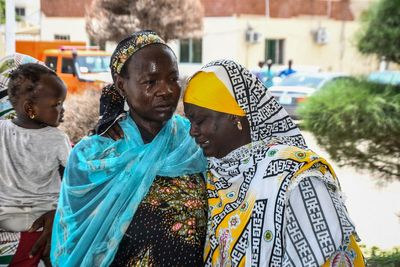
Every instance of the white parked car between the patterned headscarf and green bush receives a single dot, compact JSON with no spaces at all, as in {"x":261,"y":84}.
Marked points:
{"x":295,"y":89}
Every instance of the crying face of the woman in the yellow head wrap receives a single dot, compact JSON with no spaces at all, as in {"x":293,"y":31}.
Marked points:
{"x":215,"y":132}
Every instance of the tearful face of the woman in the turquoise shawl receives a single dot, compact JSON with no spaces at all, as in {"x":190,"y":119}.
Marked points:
{"x":152,"y":86}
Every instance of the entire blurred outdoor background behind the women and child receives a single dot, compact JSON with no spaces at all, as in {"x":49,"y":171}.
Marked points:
{"x":333,"y":64}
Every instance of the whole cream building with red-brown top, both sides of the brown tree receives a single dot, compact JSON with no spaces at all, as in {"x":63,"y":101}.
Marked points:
{"x":315,"y":34}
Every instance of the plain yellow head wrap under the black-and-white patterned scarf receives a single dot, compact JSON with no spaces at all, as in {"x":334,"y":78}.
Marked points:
{"x":206,"y":90}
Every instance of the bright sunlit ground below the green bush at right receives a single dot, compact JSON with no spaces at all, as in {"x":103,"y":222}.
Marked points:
{"x":374,"y":208}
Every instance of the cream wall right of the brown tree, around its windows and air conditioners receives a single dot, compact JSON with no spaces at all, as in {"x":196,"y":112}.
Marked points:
{"x":224,"y":37}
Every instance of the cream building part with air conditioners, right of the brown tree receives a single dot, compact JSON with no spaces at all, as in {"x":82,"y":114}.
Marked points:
{"x":315,"y":34}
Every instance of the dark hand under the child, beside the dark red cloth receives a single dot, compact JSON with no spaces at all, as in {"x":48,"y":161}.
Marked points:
{"x":44,"y":241}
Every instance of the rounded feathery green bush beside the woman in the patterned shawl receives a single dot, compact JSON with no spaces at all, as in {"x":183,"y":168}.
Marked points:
{"x":358,"y":123}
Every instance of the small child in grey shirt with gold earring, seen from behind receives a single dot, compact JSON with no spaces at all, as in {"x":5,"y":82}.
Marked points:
{"x":33,"y":153}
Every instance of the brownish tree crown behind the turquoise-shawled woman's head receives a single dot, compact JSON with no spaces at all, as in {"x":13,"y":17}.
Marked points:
{"x":112,"y":20}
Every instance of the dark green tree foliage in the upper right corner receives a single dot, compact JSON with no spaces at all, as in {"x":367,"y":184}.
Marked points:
{"x":380,"y":33}
